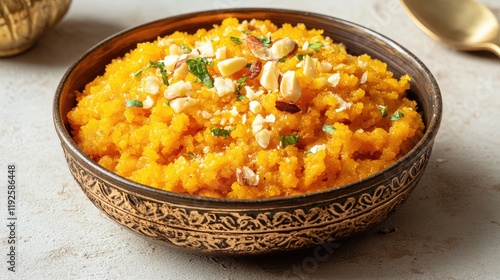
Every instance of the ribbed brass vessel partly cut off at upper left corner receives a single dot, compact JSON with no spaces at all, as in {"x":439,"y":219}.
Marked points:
{"x":22,"y":22}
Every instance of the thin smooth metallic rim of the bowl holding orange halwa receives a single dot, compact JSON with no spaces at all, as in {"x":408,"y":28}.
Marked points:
{"x":423,"y":145}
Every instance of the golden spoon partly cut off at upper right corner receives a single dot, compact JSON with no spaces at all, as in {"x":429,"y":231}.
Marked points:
{"x":461,"y":24}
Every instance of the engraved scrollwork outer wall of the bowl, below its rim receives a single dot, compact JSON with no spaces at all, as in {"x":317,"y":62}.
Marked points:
{"x":247,"y":231}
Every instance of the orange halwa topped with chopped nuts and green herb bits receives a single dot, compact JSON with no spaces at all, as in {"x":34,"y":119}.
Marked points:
{"x":245,"y":110}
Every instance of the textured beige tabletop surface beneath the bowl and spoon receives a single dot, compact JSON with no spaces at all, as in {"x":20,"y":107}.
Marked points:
{"x":448,"y":229}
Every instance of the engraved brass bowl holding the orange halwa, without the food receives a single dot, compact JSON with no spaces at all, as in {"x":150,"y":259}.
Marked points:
{"x":246,"y":227}
